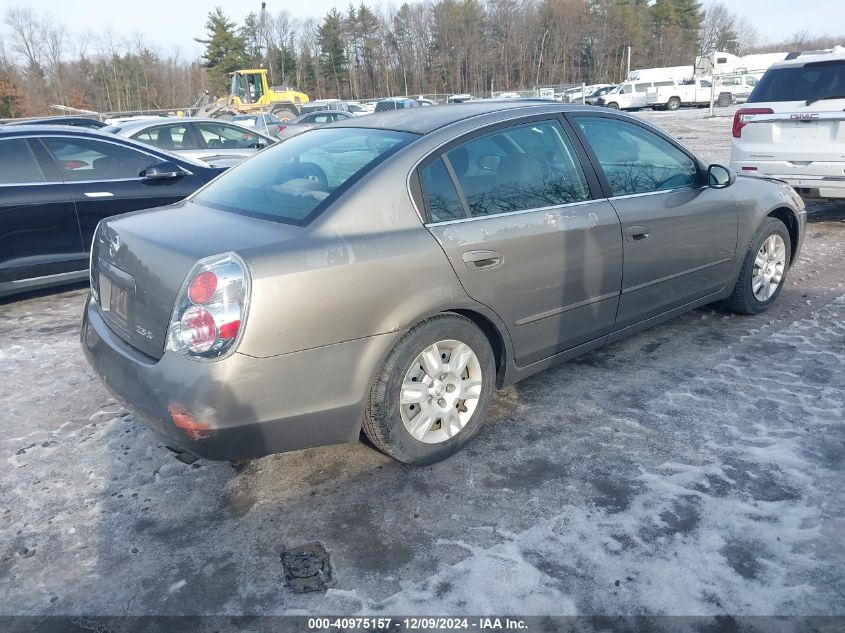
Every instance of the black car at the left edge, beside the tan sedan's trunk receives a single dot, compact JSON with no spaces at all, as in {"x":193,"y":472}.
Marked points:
{"x":57,"y":183}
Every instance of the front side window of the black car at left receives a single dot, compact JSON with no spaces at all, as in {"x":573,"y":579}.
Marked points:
{"x":86,"y":159}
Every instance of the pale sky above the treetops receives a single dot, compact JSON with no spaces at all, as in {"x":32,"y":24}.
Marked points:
{"x":172,"y":24}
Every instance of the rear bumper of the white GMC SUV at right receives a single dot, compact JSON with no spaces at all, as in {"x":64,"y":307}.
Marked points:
{"x":816,"y":180}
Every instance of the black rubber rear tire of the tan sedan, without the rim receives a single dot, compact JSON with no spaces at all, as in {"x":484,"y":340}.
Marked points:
{"x":382,"y":421}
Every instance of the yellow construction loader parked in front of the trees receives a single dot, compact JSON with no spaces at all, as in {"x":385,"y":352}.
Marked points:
{"x":251,"y":93}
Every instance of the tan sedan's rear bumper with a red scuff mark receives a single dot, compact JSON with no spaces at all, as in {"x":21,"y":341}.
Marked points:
{"x":239,"y":407}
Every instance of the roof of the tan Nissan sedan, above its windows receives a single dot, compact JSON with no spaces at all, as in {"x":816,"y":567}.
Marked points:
{"x":426,"y":120}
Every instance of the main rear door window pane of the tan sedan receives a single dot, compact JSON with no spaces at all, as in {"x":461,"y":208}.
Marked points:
{"x":528,"y":166}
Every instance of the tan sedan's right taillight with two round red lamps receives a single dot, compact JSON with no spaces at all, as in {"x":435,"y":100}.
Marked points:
{"x":210,"y":310}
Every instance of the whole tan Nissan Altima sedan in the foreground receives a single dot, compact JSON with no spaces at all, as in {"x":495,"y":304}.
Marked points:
{"x":390,"y":271}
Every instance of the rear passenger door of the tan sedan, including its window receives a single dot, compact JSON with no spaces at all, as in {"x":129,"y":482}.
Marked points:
{"x":516,"y":214}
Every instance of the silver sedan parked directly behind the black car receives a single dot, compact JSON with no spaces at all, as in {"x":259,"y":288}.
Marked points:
{"x":209,"y":140}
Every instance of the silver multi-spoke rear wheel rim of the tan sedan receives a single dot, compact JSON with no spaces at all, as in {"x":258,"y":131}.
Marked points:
{"x":440,"y":391}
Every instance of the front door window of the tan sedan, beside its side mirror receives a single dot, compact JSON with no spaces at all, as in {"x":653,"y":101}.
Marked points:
{"x":636,"y":160}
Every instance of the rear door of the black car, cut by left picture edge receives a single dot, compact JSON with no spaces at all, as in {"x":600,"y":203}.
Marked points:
{"x":39,"y":231}
